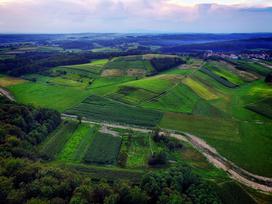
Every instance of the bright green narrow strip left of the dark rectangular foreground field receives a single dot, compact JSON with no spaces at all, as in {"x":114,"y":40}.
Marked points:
{"x":71,"y":146}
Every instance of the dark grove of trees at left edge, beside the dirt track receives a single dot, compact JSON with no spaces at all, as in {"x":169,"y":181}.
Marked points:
{"x":23,"y":127}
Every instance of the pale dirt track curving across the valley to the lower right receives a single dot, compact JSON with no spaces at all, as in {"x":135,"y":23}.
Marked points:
{"x":246,"y":178}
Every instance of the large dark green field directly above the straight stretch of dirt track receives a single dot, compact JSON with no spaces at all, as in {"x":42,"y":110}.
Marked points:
{"x":103,"y":109}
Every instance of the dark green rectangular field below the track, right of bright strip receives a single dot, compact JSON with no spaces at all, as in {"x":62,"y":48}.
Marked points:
{"x":103,"y":150}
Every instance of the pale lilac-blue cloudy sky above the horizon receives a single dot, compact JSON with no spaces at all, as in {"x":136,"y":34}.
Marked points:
{"x":135,"y":16}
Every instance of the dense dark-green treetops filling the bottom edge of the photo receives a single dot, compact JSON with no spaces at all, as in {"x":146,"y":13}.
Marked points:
{"x":24,"y":181}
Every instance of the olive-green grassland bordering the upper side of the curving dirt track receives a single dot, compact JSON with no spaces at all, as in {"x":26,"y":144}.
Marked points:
{"x":246,"y":144}
